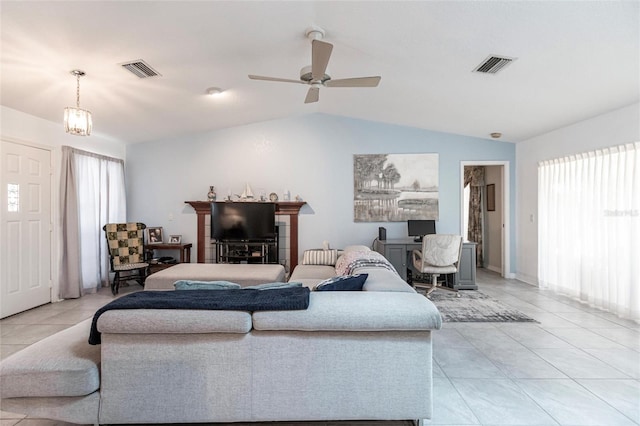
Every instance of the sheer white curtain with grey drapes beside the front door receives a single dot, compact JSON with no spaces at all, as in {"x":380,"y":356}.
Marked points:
{"x":93,"y":194}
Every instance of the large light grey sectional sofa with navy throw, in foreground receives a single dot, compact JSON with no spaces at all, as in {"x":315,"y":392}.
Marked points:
{"x":351,"y":355}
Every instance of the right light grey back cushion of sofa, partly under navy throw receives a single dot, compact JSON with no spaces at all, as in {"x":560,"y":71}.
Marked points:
{"x":355,"y":311}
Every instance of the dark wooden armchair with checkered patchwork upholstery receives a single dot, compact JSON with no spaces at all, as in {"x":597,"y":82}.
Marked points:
{"x":126,"y":252}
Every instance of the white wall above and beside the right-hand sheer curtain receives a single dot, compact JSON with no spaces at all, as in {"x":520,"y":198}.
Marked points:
{"x":614,"y":128}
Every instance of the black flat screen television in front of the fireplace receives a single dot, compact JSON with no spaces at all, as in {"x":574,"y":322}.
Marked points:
{"x":238,"y":221}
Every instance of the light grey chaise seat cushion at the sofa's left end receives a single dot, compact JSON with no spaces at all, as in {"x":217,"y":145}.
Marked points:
{"x":62,"y":365}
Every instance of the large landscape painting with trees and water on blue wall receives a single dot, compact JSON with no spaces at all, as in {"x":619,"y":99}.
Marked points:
{"x":395,"y":187}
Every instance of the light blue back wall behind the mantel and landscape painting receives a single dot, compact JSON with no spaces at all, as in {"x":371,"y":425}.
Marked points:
{"x":311,"y":156}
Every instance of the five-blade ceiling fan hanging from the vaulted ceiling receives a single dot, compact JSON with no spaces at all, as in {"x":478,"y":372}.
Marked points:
{"x":315,"y":74}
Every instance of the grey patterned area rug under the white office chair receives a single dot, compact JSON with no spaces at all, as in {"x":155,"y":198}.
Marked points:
{"x":474,"y":306}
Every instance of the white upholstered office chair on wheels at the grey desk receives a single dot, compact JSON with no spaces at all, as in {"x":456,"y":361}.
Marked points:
{"x":440,"y":254}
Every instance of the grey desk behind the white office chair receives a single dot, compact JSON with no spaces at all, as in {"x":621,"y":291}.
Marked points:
{"x":398,"y":252}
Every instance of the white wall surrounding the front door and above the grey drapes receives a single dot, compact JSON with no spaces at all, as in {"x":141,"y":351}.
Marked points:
{"x":16,"y":126}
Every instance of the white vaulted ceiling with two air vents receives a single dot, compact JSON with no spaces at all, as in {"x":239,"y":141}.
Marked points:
{"x":575,"y":60}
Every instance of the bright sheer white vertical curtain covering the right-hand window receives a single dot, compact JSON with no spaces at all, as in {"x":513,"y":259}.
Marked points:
{"x":589,"y":228}
